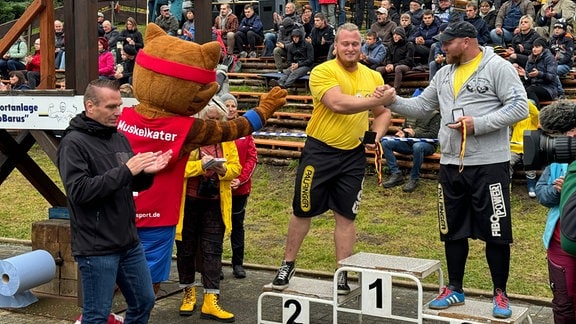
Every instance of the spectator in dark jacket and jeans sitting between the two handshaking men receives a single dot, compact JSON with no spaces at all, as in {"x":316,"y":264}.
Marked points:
{"x":423,"y":128}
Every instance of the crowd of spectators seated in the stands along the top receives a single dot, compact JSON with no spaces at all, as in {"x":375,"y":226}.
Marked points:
{"x":511,"y":27}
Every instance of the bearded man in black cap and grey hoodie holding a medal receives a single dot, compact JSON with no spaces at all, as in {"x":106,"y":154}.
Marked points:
{"x":480,"y":95}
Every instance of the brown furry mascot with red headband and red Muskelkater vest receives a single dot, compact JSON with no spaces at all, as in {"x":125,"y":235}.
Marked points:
{"x":173,"y":80}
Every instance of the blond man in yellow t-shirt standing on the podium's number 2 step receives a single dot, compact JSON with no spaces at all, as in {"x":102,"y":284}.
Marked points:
{"x":331,"y":170}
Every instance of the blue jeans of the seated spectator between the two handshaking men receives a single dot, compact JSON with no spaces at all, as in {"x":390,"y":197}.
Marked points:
{"x":417,"y":149}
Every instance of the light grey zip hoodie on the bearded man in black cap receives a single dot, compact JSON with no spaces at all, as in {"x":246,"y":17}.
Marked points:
{"x":494,"y":96}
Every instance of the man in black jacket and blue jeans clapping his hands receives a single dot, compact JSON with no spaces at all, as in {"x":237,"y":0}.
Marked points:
{"x":100,"y":173}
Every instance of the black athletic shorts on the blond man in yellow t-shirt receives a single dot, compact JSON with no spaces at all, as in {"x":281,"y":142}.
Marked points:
{"x":328,"y":178}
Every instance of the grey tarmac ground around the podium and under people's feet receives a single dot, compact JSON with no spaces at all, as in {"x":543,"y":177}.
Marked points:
{"x":240,"y":296}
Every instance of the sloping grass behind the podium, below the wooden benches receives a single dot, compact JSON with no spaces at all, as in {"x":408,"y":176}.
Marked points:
{"x":390,"y":222}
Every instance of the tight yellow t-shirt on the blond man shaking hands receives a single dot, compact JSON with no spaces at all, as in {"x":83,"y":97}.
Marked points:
{"x":339,"y":130}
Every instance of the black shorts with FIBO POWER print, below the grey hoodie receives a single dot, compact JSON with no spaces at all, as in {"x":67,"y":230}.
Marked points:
{"x":475,"y":203}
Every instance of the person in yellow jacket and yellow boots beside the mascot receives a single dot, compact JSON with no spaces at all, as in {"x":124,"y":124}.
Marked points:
{"x":207,"y":217}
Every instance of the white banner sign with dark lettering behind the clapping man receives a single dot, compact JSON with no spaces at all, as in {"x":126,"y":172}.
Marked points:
{"x":42,"y":112}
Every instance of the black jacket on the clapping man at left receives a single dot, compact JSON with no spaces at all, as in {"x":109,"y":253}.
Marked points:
{"x":99,"y":186}
